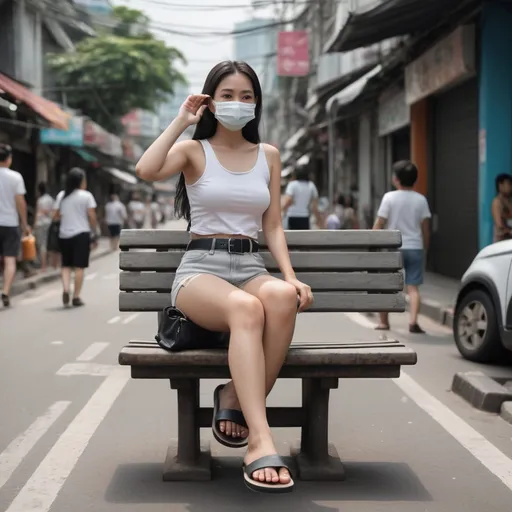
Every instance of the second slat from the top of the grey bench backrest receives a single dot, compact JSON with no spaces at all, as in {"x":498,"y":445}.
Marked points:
{"x":301,"y":261}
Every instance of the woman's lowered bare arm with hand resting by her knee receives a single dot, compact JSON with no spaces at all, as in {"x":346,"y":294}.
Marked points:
{"x":274,"y":233}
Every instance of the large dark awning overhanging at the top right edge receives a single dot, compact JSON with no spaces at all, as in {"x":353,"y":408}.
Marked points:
{"x":392,"y":18}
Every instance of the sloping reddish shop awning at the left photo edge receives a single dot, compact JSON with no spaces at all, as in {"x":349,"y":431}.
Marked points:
{"x":45,"y":108}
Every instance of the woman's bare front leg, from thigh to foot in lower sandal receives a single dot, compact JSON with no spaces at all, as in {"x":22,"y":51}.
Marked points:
{"x":216,"y":305}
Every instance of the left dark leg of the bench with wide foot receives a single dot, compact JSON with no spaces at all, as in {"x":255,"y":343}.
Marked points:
{"x":187,"y":460}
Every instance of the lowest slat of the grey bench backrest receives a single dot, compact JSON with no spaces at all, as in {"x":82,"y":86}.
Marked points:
{"x":324,"y":302}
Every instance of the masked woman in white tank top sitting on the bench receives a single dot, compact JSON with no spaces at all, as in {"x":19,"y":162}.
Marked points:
{"x":229,"y":188}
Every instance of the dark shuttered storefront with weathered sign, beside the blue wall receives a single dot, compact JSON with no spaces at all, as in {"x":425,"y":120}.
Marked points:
{"x":446,"y":75}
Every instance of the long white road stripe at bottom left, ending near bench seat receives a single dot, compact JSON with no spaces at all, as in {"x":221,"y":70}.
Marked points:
{"x":40,"y":491}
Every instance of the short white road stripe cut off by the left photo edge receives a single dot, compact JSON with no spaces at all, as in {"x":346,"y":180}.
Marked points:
{"x":20,"y":447}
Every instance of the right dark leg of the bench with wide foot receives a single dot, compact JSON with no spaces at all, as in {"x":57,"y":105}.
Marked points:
{"x":316,"y":458}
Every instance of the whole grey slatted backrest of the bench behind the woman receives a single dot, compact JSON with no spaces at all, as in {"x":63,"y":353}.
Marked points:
{"x":356,"y":270}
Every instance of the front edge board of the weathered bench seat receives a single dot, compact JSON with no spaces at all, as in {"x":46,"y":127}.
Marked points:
{"x":358,"y":356}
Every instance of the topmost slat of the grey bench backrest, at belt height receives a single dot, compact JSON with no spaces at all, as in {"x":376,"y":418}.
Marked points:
{"x":172,"y":239}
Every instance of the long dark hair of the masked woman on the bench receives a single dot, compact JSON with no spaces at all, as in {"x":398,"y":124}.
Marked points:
{"x":207,"y":125}
